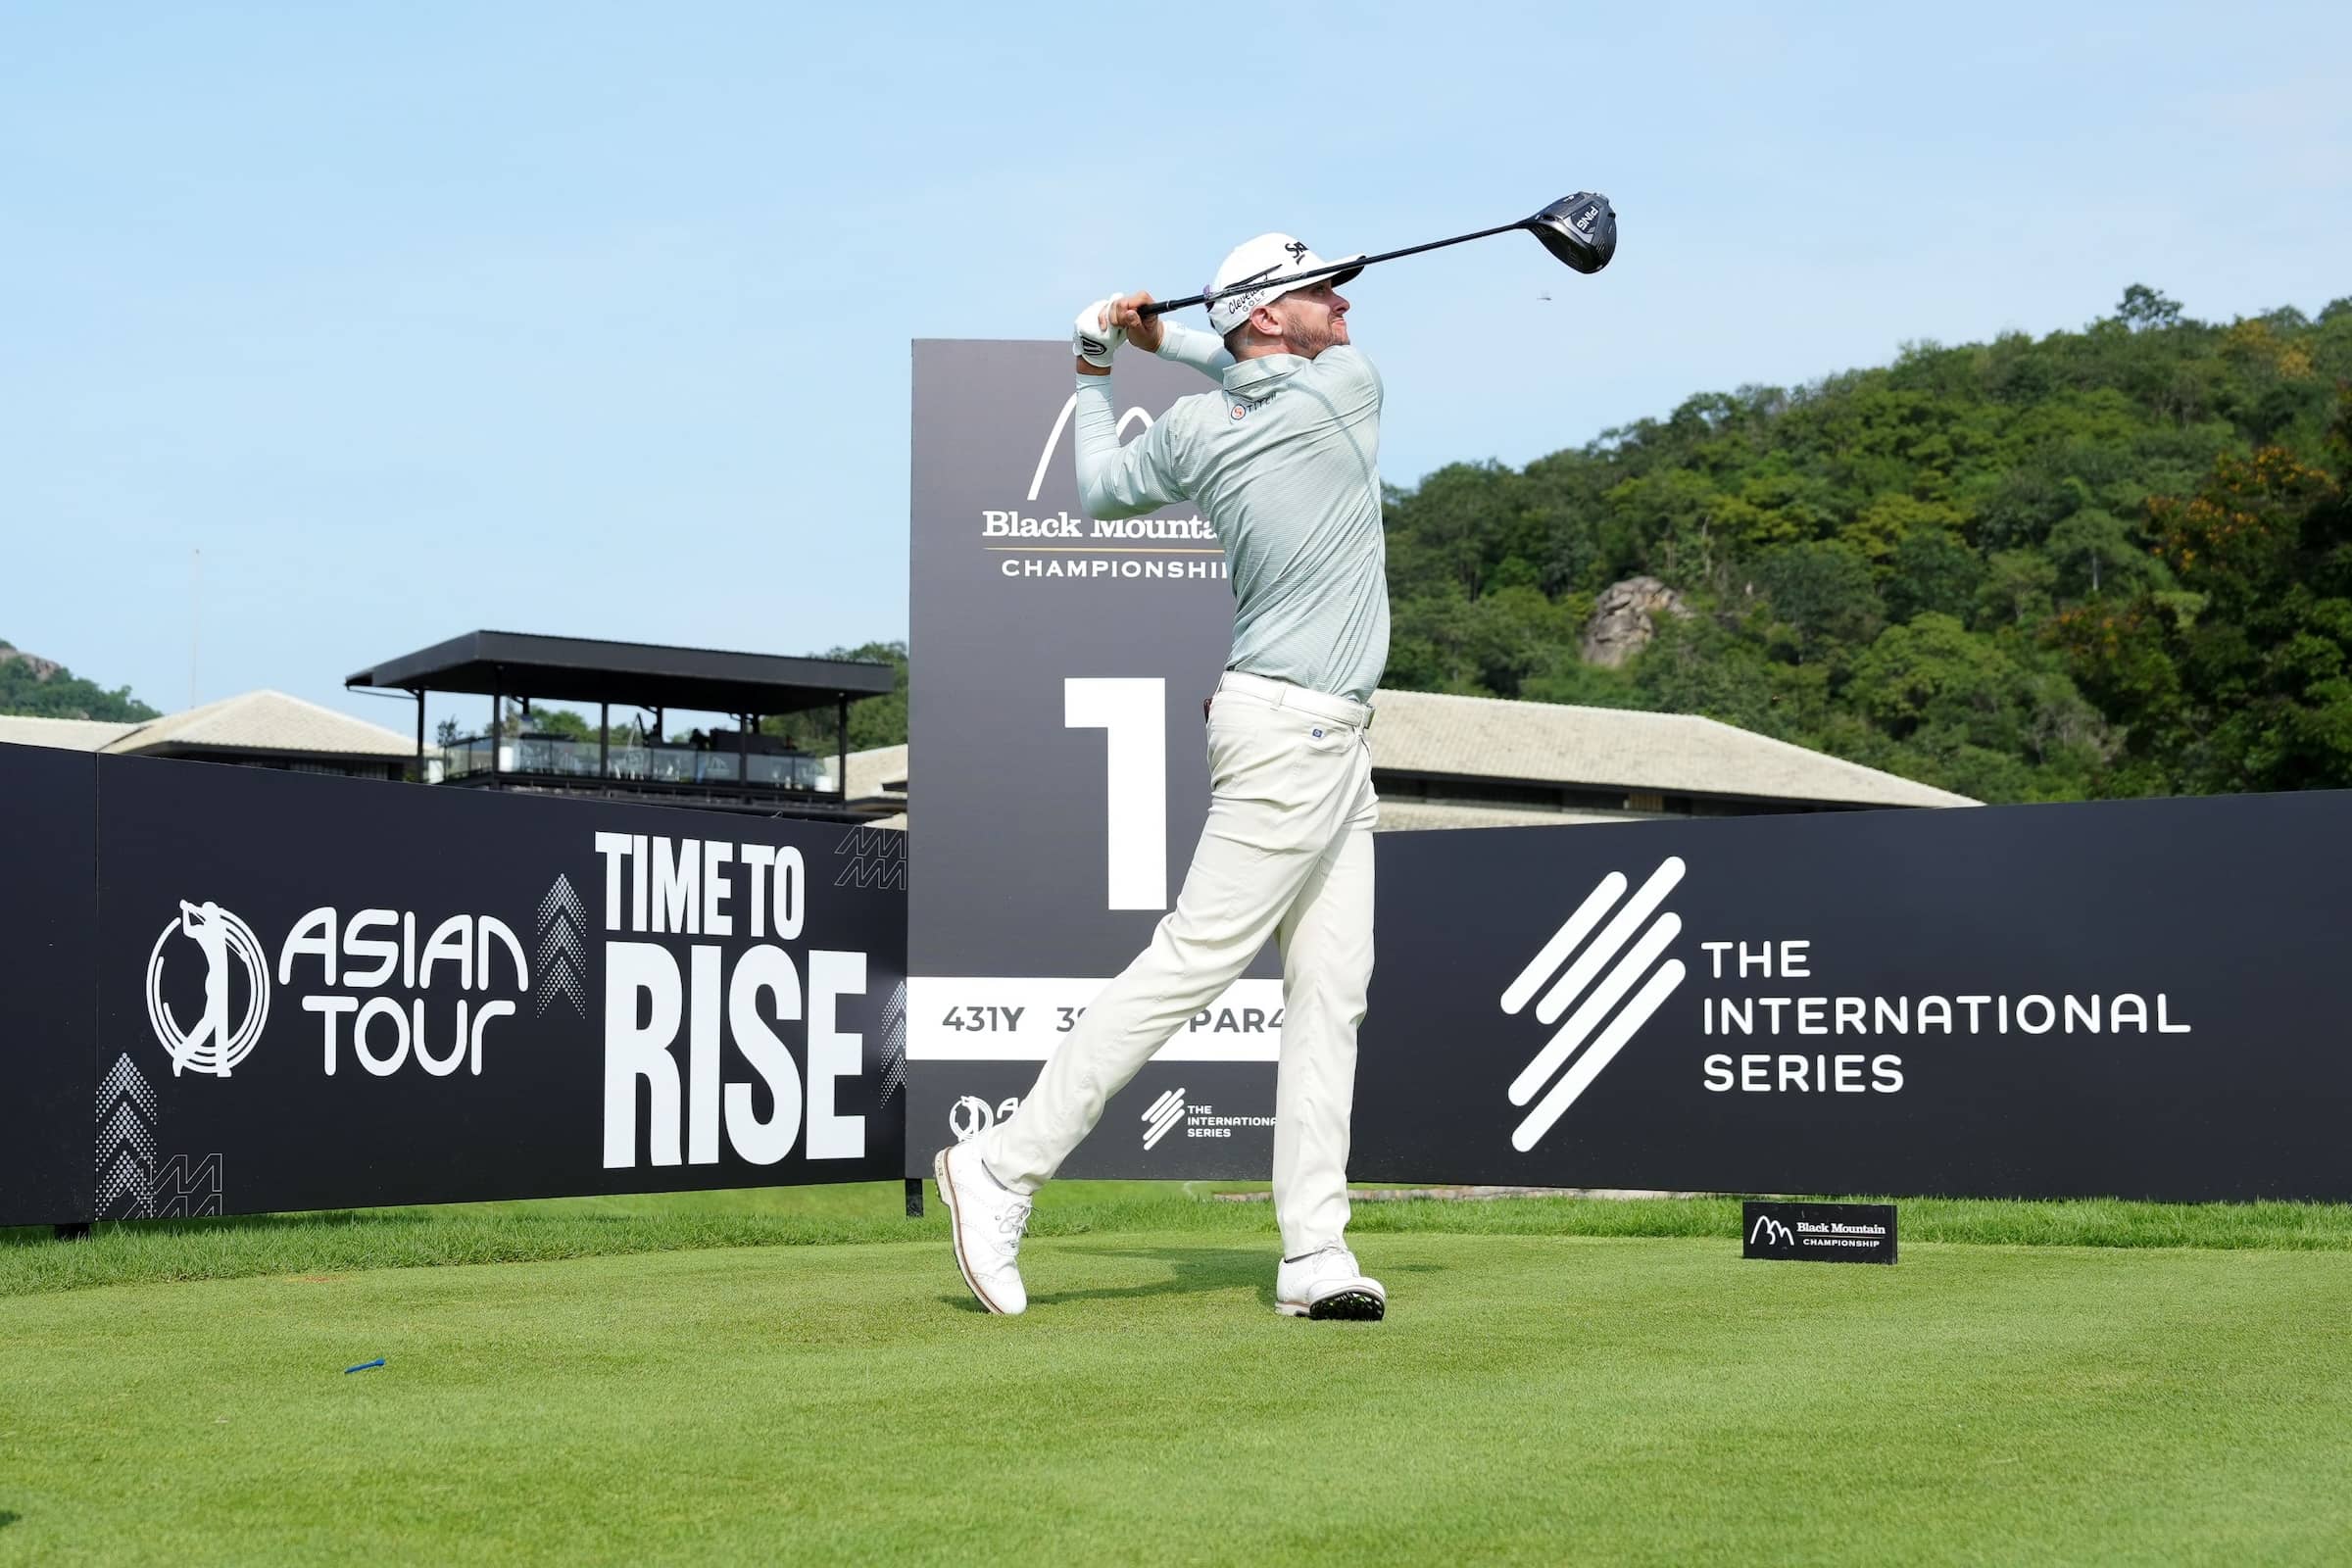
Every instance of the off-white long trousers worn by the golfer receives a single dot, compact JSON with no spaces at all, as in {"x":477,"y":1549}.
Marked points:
{"x":1285,"y":855}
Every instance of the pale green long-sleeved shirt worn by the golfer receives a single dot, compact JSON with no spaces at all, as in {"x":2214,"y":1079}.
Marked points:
{"x":1283,"y":462}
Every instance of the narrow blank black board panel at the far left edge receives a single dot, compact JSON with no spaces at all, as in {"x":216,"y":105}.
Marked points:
{"x":48,"y":880}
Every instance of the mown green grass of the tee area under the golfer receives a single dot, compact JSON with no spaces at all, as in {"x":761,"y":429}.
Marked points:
{"x":1537,"y":1395}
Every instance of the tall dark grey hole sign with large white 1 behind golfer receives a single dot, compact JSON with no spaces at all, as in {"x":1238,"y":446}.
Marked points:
{"x":1057,"y":711}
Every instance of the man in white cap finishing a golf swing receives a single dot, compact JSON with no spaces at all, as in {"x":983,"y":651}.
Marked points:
{"x":1283,"y":462}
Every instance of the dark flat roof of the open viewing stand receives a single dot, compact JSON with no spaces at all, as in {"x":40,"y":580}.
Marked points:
{"x":632,"y":674}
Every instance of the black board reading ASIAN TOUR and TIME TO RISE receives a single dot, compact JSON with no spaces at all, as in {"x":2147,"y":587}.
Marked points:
{"x":338,"y":993}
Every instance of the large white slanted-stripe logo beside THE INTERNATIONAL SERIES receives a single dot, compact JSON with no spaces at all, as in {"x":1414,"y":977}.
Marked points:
{"x":1593,"y":984}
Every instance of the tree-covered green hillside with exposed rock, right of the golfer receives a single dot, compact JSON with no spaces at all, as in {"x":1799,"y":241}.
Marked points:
{"x":2104,"y":563}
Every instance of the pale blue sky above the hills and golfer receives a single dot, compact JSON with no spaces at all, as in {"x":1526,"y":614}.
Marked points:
{"x":594,"y":319}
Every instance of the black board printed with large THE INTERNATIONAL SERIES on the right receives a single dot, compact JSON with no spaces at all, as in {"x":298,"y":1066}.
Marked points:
{"x":2125,"y":998}
